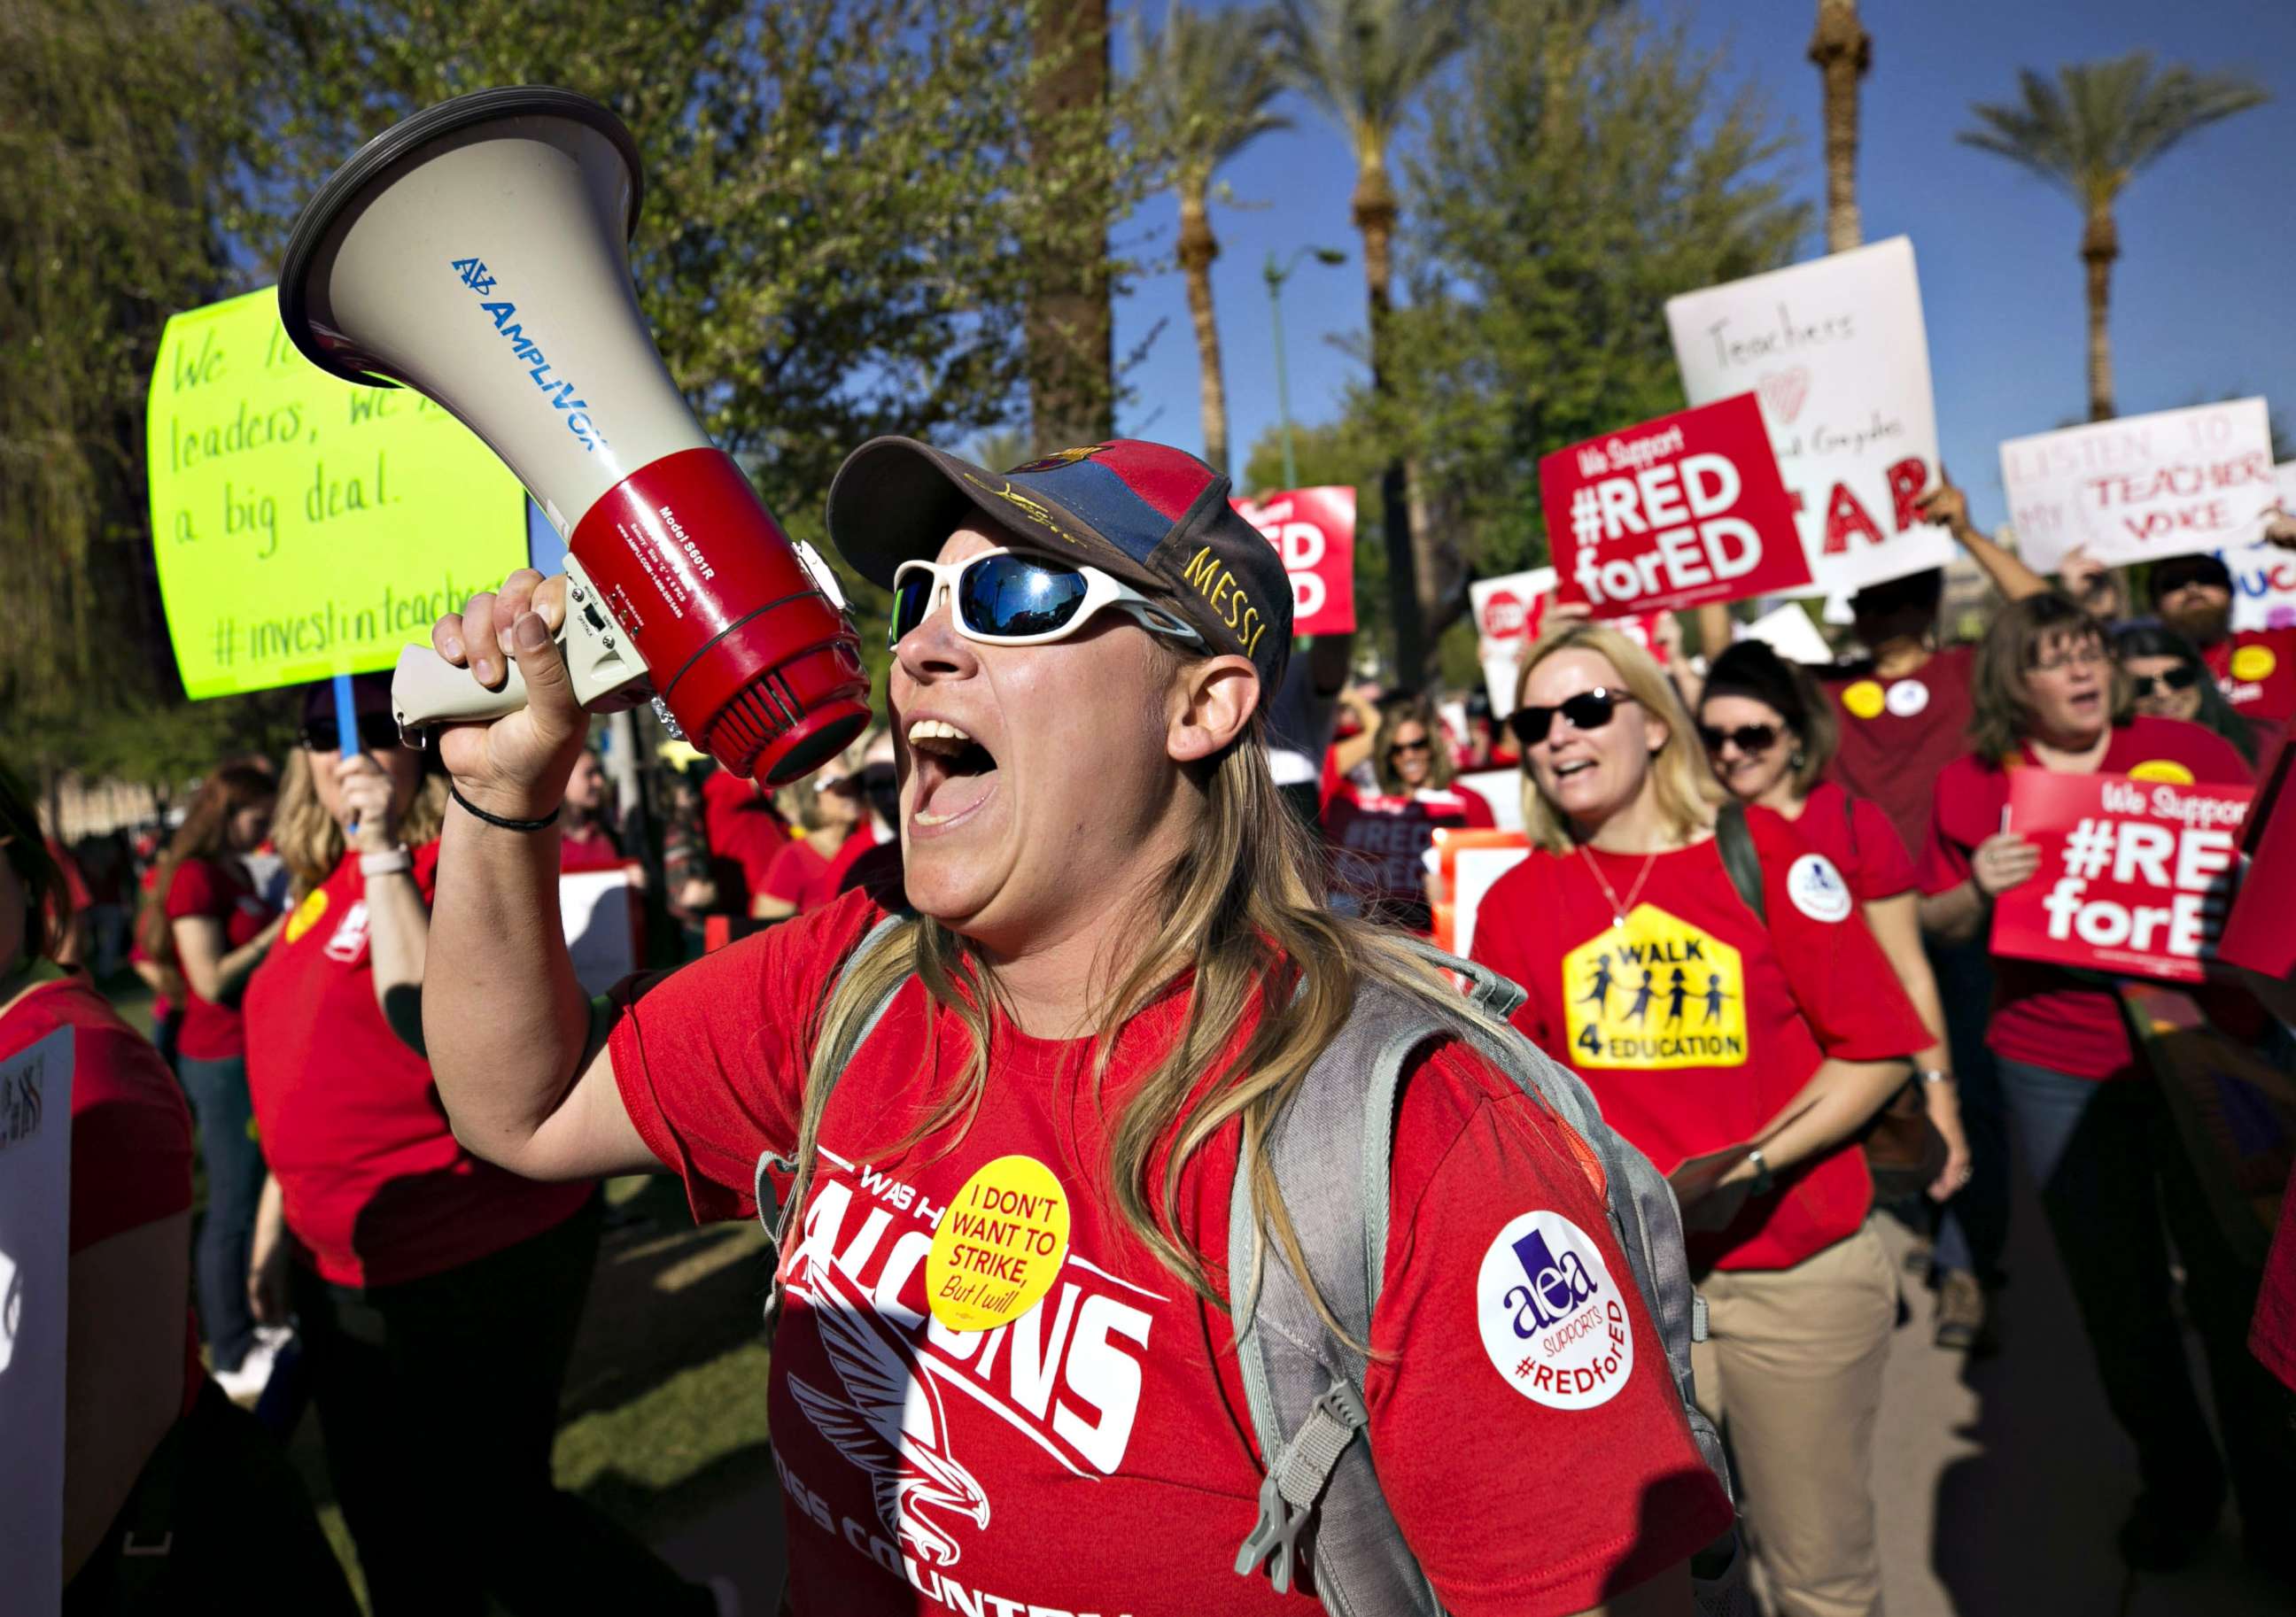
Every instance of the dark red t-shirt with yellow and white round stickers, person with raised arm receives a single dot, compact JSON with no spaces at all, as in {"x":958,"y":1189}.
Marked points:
{"x":1898,"y":736}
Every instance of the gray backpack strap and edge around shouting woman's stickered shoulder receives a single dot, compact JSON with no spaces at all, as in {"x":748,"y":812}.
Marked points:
{"x":1305,"y":1384}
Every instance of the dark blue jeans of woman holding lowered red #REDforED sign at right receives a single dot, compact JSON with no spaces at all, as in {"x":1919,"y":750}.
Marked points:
{"x":2118,"y":1186}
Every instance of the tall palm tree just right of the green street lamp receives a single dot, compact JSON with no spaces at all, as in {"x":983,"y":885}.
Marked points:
{"x":1363,"y":63}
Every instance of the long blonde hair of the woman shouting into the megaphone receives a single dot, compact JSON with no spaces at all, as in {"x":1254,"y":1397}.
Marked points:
{"x":1241,"y":911}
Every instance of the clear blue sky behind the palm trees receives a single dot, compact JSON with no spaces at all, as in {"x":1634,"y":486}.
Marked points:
{"x":2201,"y":297}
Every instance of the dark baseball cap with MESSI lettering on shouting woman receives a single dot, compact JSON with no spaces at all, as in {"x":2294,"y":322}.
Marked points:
{"x":1147,"y":513}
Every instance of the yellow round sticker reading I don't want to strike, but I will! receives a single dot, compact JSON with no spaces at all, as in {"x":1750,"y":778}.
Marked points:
{"x":1000,"y":1246}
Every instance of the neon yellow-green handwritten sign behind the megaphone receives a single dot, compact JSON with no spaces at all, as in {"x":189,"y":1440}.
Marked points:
{"x":302,"y":525}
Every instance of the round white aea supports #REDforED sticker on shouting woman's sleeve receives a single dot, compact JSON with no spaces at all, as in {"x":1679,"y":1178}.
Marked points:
{"x":1553,"y":1320}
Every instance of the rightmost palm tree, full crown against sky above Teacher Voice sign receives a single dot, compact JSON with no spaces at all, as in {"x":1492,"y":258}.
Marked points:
{"x":2093,"y":132}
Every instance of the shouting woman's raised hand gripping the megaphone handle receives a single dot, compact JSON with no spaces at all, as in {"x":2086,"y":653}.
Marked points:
{"x":515,"y":766}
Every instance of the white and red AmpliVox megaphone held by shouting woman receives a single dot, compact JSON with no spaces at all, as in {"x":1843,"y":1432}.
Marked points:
{"x":479,"y":254}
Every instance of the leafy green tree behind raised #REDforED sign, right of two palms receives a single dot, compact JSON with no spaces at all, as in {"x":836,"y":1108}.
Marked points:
{"x":1592,"y":167}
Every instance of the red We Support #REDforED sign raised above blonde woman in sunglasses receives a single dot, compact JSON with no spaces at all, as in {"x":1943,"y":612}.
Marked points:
{"x":1675,"y":513}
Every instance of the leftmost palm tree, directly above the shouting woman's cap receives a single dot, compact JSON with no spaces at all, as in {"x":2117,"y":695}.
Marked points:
{"x":1204,"y":86}
